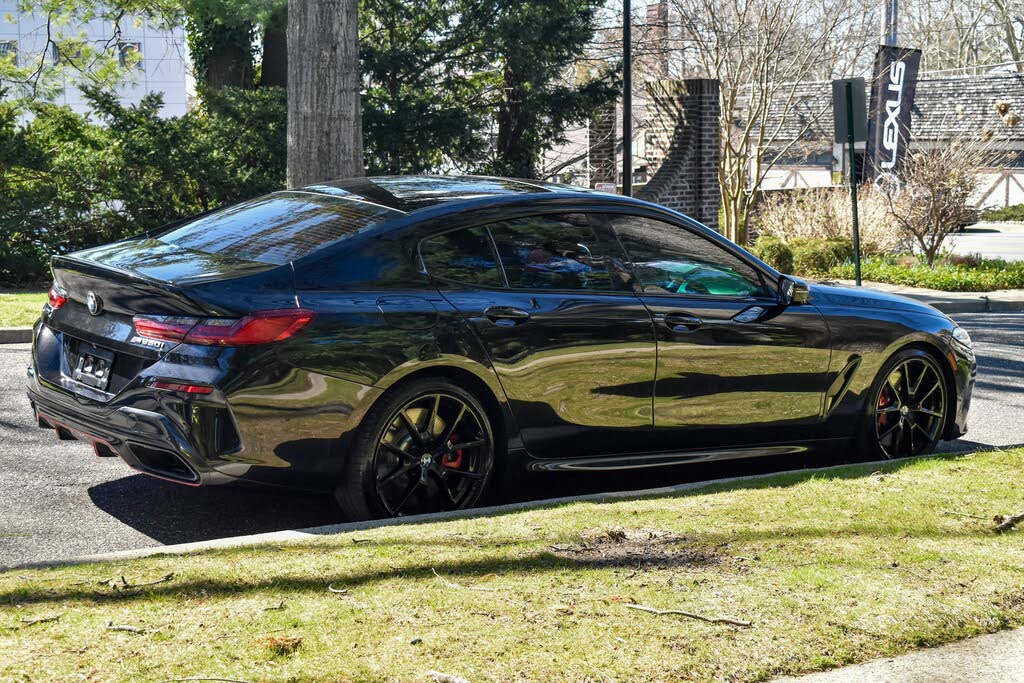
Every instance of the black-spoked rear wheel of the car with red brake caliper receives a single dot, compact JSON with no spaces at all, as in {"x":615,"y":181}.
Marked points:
{"x":426,"y":448}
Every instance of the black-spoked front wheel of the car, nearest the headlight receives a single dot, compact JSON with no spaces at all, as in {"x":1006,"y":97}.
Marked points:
{"x":909,"y":405}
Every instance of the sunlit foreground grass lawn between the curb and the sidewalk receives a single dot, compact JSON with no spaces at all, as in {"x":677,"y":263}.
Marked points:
{"x":829,"y":569}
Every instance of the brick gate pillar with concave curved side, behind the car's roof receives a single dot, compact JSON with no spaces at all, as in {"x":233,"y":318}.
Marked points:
{"x":684,"y":148}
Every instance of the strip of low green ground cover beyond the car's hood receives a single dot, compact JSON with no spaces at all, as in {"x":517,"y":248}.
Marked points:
{"x":952,"y":275}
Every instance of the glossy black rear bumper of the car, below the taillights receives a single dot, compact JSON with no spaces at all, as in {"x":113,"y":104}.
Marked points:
{"x":265,"y":422}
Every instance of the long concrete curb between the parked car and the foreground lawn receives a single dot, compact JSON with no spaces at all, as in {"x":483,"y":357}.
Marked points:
{"x":331,"y":530}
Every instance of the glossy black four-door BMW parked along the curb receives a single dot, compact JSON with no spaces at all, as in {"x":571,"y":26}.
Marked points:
{"x":409,"y":341}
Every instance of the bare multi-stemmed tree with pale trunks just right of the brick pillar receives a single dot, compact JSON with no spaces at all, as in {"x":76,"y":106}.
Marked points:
{"x":760,"y":52}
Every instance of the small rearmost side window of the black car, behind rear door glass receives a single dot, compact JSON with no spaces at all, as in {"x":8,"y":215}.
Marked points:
{"x":463,"y":257}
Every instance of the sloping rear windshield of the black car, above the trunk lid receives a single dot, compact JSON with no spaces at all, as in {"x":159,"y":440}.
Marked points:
{"x":279,"y":228}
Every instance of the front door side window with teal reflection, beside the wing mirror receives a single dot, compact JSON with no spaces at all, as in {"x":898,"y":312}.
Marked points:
{"x":668,"y":260}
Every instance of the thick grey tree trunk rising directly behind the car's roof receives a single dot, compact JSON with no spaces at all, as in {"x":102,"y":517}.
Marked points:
{"x":325,"y":132}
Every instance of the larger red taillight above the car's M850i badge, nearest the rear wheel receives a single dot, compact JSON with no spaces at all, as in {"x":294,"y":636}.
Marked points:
{"x":261,"y":328}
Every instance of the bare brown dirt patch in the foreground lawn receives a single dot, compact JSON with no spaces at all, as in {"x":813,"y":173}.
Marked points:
{"x":637,"y":548}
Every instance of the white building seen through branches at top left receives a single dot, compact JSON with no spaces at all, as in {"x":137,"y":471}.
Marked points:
{"x":162,"y":69}
